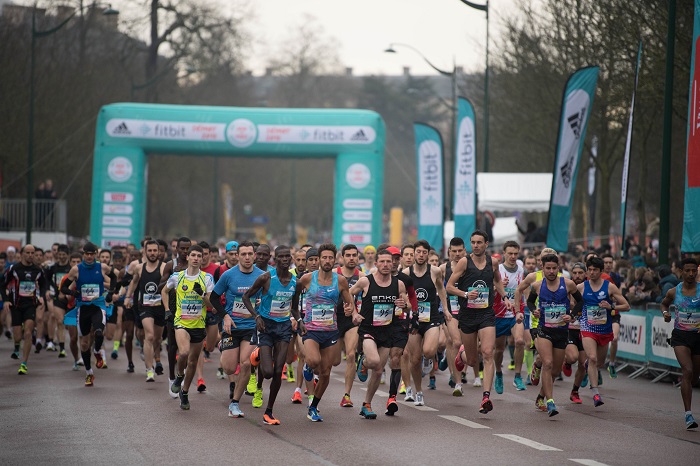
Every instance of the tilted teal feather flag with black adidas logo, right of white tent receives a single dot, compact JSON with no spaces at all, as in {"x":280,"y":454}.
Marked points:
{"x":576,"y":108}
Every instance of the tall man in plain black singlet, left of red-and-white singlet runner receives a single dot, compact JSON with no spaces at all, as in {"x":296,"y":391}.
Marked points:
{"x":474,"y":279}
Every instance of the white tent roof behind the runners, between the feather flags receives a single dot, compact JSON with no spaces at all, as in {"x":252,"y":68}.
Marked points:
{"x":510,"y":192}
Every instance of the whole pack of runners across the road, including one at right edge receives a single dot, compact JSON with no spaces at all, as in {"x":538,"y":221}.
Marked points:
{"x":400,"y":307}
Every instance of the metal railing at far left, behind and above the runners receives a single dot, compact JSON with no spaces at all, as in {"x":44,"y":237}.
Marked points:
{"x":47,"y":215}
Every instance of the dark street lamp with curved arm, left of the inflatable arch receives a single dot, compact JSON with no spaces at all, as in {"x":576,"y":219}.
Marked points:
{"x":108,"y":11}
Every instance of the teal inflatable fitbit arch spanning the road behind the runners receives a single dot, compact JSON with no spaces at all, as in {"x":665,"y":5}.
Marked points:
{"x":127,"y":133}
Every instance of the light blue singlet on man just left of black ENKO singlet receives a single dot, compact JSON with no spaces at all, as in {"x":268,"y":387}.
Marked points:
{"x":319,"y":305}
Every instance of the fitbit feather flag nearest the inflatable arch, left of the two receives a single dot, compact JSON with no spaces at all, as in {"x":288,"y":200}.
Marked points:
{"x":430,"y":184}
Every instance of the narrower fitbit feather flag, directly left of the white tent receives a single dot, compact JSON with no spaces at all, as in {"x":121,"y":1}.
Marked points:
{"x":464,"y":208}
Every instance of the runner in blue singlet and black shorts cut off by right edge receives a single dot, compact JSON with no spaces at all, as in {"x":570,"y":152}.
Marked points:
{"x":684,"y":302}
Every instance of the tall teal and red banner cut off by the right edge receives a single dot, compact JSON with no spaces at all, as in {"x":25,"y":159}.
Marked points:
{"x":691,"y":213}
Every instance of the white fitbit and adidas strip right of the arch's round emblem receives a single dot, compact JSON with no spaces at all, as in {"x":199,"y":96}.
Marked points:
{"x":301,"y":134}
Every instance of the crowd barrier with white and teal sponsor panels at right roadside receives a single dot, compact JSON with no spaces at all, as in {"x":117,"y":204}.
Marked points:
{"x":643,"y":344}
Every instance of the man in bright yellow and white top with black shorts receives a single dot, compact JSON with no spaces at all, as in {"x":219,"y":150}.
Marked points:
{"x":192,"y":290}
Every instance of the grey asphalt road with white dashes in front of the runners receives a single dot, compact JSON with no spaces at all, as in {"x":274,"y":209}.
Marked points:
{"x":48,"y":416}
